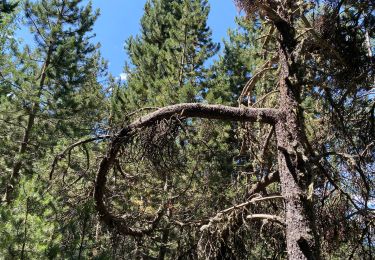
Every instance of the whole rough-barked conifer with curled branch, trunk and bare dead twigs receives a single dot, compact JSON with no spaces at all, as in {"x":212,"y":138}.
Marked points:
{"x":323,"y":68}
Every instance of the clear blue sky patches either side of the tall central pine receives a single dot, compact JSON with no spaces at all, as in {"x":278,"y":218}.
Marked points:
{"x":120,"y":19}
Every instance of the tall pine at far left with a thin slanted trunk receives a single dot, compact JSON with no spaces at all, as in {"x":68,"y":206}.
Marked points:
{"x":55,"y":77}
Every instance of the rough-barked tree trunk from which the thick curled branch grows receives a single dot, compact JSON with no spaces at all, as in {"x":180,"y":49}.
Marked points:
{"x":291,"y":141}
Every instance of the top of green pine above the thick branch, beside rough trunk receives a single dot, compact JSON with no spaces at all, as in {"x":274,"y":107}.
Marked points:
{"x":242,"y":57}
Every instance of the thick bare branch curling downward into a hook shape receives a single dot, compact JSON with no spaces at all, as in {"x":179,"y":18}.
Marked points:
{"x":186,"y":110}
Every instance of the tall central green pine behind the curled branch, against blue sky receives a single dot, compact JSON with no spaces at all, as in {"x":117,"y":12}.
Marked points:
{"x":167,"y":66}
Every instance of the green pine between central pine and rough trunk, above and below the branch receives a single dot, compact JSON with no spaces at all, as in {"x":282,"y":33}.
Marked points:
{"x":243,"y":63}
